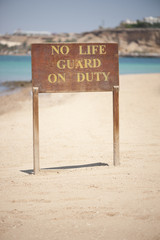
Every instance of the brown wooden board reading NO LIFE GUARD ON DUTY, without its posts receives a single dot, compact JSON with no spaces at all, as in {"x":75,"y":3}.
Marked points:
{"x":81,"y":67}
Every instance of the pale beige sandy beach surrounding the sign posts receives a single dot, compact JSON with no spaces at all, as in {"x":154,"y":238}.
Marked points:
{"x":93,"y":200}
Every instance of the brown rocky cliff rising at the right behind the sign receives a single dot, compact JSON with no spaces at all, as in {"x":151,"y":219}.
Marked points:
{"x":132,"y":42}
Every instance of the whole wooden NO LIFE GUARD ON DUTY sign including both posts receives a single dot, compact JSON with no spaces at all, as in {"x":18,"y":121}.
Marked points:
{"x":83,"y":67}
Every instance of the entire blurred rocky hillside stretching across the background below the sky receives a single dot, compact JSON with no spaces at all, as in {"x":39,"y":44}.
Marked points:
{"x":132,"y":42}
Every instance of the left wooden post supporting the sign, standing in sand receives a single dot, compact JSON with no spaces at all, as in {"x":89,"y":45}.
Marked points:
{"x":35,"y":131}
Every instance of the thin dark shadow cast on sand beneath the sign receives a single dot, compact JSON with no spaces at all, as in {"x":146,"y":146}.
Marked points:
{"x":99,"y":164}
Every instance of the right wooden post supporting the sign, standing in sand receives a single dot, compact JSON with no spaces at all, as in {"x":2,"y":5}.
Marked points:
{"x":116,"y":160}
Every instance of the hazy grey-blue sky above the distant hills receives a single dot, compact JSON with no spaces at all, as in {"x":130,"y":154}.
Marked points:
{"x":68,"y":16}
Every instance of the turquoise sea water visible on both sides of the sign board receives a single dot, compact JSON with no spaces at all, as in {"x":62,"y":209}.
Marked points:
{"x":18,"y":68}
